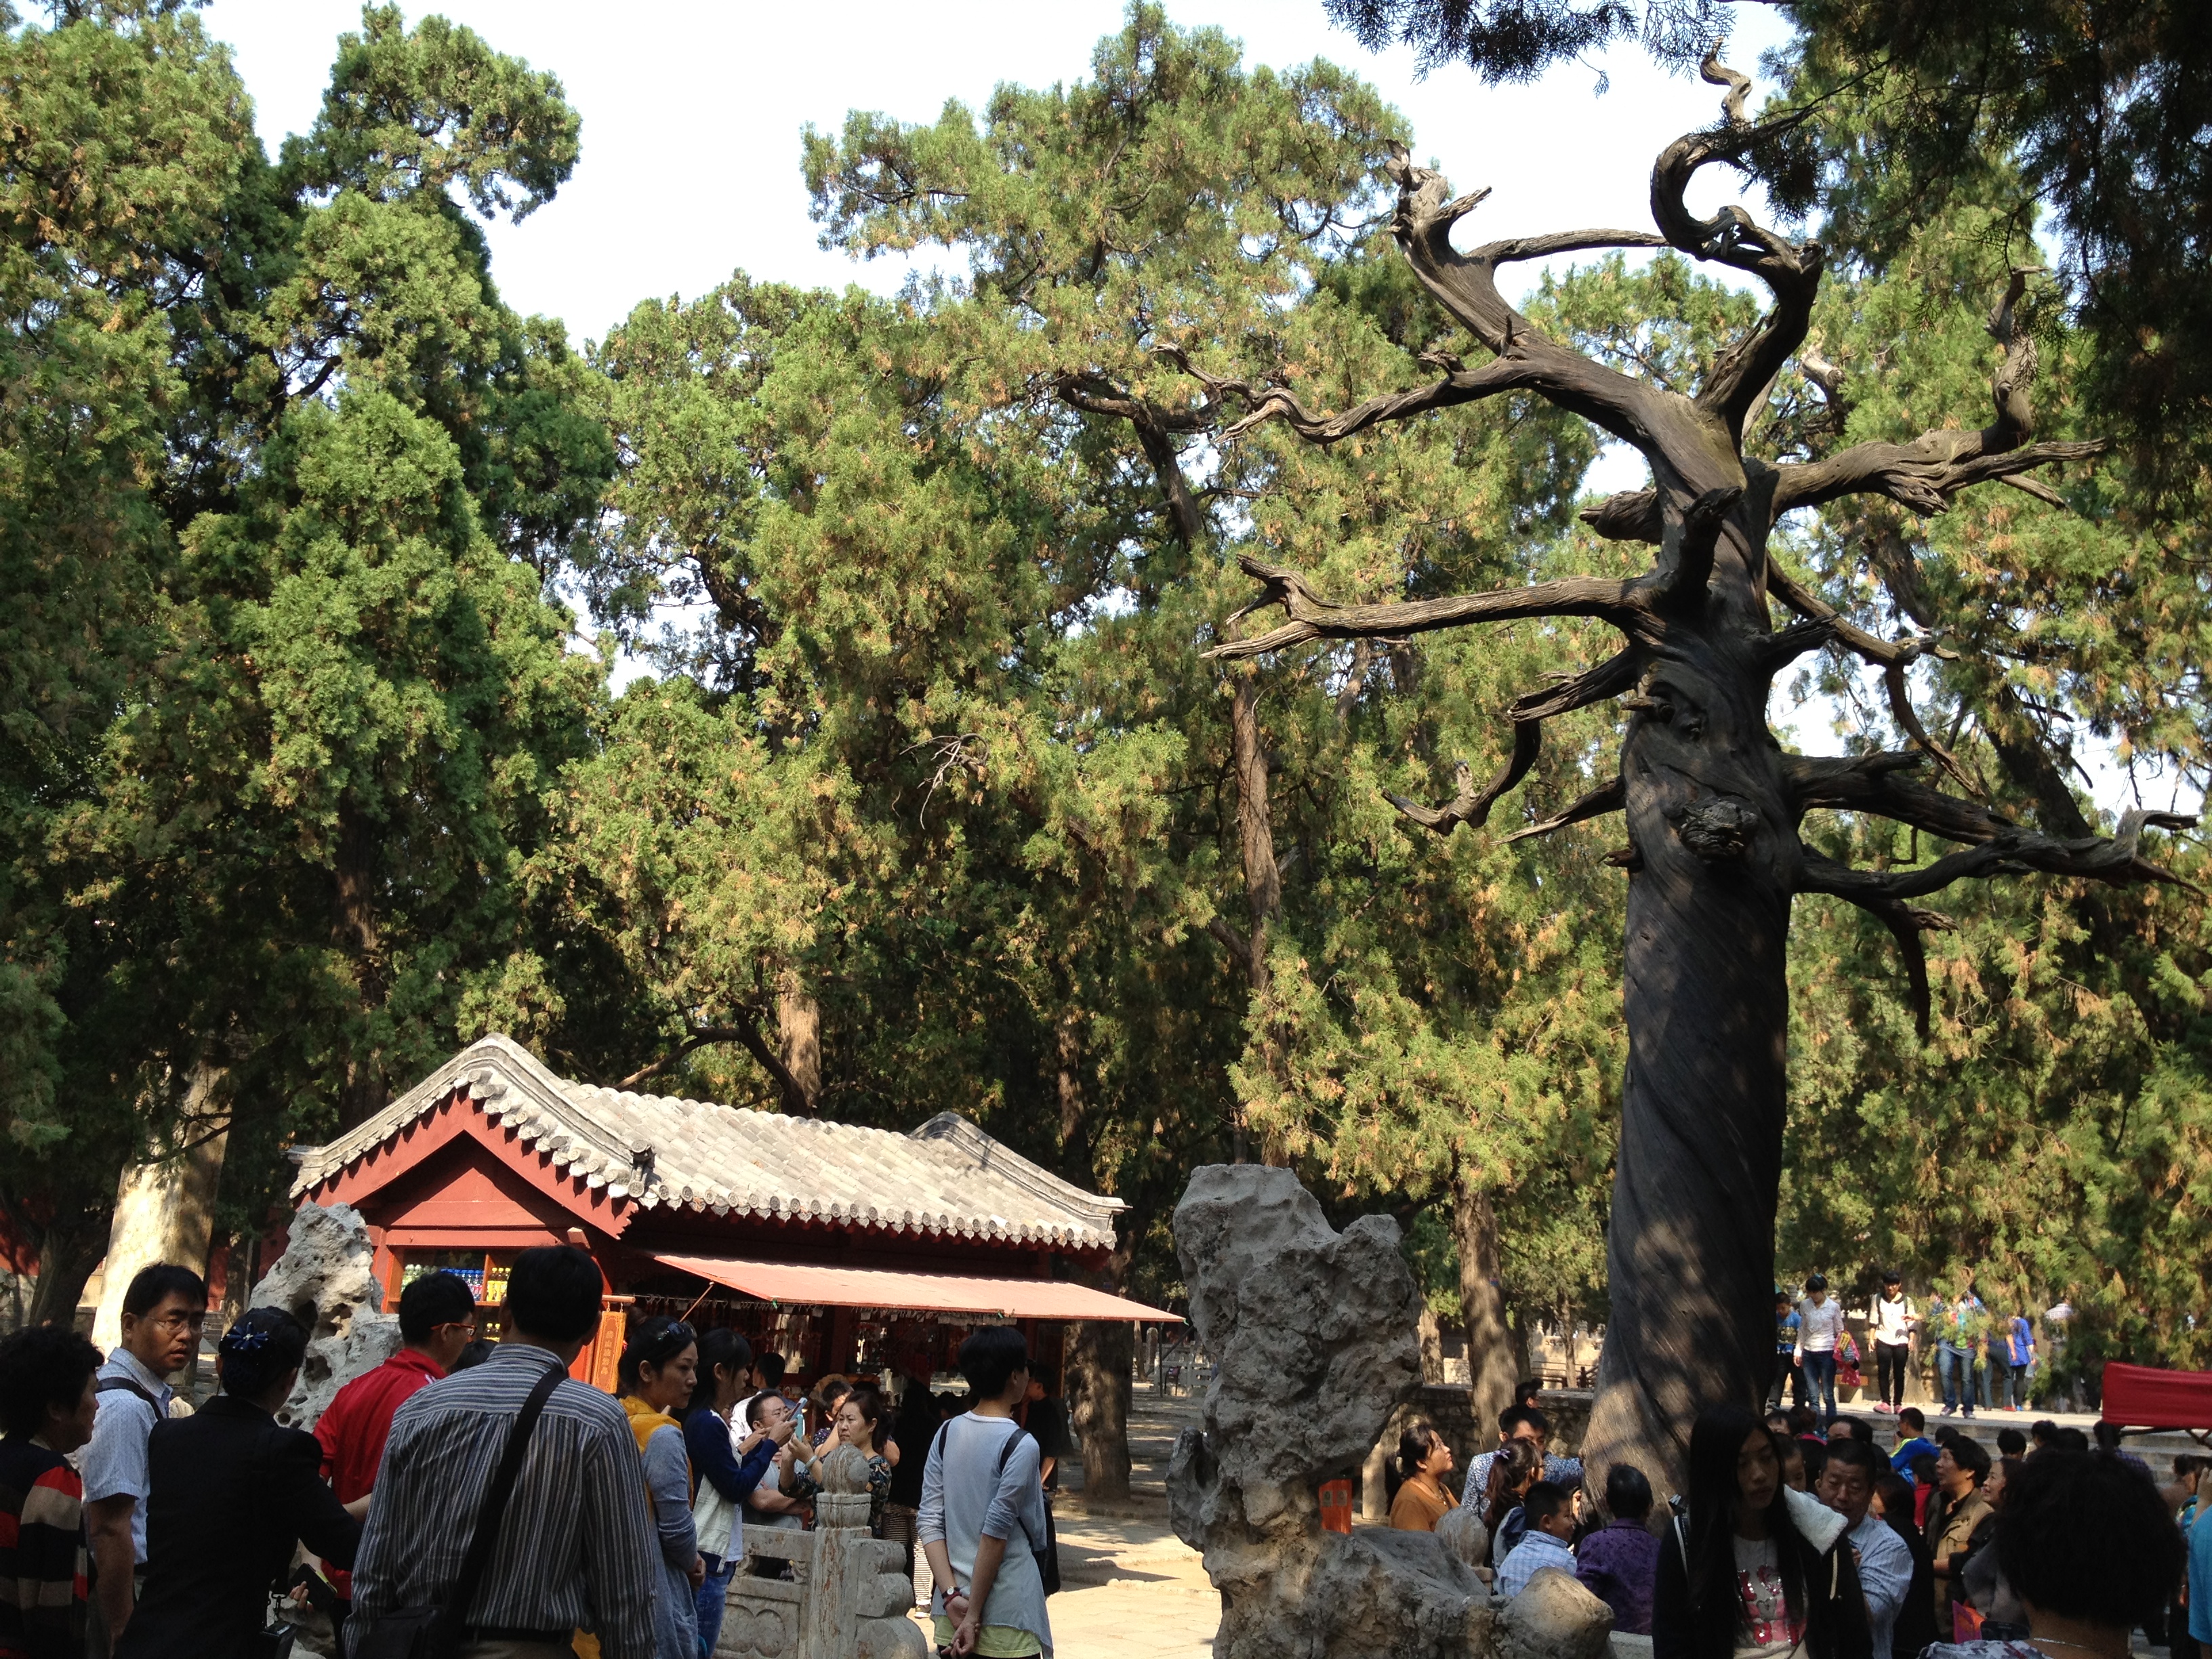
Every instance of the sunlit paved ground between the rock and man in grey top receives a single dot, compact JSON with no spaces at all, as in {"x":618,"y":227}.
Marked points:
{"x":1131,"y":1589}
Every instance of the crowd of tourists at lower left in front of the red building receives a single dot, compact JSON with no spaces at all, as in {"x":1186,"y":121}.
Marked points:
{"x":472,"y":1499}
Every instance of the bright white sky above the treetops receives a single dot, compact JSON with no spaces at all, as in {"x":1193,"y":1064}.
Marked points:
{"x":693,"y":116}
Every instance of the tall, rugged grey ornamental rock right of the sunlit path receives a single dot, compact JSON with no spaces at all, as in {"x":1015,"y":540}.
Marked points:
{"x":1315,"y":1335}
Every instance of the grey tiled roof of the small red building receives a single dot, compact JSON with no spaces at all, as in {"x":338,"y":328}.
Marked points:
{"x":946,"y":1178}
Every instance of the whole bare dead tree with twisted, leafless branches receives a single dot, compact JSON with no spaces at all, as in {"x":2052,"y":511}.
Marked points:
{"x":1711,"y":800}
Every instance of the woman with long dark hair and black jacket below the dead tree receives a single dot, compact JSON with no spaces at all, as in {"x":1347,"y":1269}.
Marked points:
{"x":1753,"y":1567}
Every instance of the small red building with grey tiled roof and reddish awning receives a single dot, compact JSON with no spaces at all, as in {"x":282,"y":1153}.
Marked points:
{"x":844,"y":1249}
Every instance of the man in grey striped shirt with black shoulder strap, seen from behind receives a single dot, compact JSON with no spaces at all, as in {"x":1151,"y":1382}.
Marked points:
{"x":576,"y":1550}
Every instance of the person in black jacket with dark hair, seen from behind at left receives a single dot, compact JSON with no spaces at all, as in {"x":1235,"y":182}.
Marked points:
{"x":231,"y":1492}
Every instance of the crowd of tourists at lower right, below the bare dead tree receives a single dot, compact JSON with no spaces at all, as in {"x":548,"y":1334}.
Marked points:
{"x":1808,"y":1538}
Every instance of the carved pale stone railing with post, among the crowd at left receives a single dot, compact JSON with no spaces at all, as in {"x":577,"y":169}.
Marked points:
{"x":848,"y":1594}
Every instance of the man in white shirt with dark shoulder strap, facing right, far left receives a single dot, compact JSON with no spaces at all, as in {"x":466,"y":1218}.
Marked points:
{"x":160,"y":1335}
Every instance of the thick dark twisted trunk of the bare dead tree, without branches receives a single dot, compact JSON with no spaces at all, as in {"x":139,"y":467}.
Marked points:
{"x":1713,"y":866}
